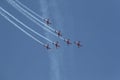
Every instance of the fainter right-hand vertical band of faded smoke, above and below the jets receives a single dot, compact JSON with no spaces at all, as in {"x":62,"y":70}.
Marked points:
{"x":56,"y":15}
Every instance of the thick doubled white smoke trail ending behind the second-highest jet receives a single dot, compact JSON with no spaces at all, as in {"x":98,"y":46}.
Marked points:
{"x":27,"y":14}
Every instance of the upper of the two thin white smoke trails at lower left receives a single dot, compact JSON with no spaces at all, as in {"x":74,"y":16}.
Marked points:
{"x":26,"y":26}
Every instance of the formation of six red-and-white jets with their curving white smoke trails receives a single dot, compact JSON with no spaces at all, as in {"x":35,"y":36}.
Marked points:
{"x":44,"y":23}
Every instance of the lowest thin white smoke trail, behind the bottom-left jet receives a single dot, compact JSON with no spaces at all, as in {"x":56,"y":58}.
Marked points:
{"x":21,"y":29}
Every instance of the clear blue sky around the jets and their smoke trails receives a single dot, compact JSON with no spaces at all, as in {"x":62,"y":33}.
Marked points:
{"x":94,"y":22}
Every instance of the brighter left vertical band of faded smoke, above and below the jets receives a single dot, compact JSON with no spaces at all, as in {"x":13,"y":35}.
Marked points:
{"x":54,"y":58}
